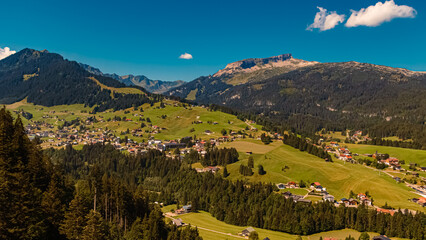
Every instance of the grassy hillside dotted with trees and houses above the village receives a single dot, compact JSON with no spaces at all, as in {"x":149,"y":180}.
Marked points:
{"x":172,"y":122}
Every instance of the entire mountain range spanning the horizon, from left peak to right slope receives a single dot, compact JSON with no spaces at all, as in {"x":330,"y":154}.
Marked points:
{"x":306,"y":96}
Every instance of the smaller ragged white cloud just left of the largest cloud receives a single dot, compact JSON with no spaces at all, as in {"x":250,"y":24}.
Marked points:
{"x":326,"y":20}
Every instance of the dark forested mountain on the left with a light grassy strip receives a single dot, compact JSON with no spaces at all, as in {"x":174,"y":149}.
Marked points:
{"x":48,"y":79}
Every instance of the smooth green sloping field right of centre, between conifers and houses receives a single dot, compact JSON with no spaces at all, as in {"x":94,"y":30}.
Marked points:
{"x":338,"y":177}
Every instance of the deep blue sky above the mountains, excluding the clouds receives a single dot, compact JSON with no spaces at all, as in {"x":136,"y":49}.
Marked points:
{"x":147,"y":37}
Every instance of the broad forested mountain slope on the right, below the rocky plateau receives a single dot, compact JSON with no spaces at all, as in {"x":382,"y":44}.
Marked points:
{"x":322,"y":95}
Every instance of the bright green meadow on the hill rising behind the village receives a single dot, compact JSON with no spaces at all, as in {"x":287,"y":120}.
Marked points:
{"x":177,"y":123}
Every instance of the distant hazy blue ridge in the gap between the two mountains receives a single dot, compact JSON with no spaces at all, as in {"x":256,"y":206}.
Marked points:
{"x":154,"y":86}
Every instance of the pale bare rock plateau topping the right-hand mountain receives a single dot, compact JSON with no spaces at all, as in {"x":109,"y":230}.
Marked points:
{"x":255,"y":64}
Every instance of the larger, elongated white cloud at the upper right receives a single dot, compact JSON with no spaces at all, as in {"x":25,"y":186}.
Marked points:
{"x":381,"y":12}
